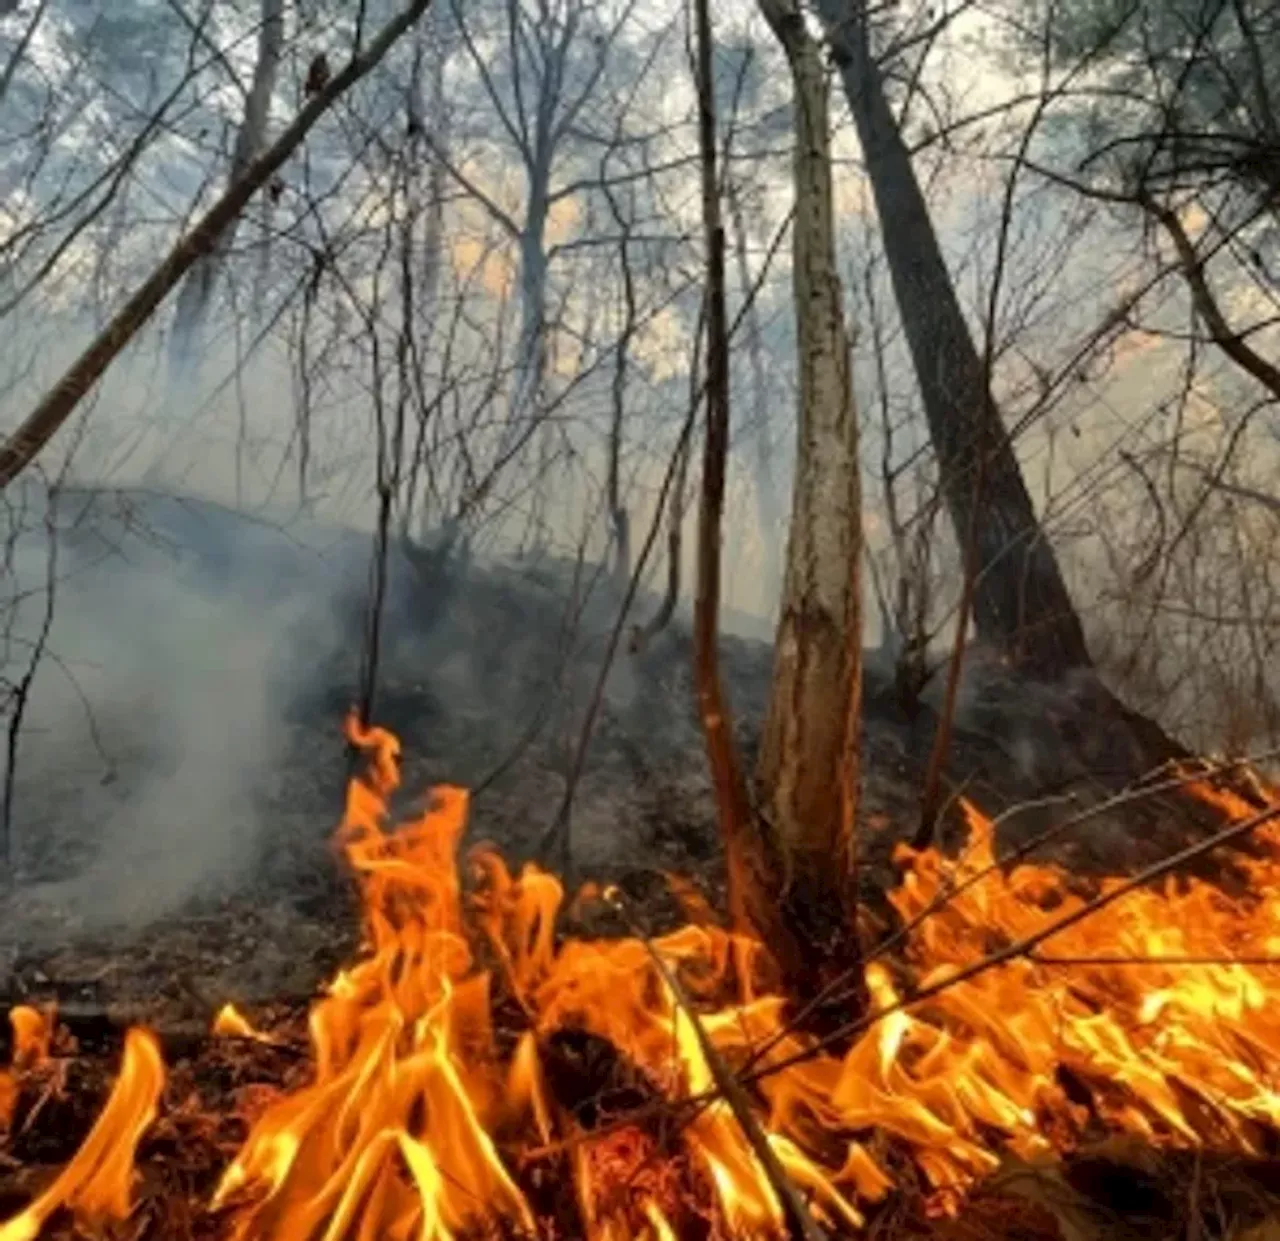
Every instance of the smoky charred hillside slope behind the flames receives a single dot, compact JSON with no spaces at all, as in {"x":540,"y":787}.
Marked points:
{"x":198,"y":809}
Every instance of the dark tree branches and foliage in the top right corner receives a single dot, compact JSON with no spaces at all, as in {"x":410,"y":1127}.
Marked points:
{"x":1201,"y":140}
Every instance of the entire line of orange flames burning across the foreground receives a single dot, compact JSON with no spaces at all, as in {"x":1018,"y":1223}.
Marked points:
{"x":437,"y":1106}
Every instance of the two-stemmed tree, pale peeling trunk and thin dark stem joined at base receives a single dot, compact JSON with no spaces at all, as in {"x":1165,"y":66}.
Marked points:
{"x":793,"y":868}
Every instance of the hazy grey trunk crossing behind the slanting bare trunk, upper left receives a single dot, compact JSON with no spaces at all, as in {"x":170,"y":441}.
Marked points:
{"x":198,"y":290}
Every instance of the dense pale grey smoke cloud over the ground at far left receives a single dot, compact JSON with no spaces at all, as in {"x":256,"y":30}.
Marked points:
{"x":158,"y":713}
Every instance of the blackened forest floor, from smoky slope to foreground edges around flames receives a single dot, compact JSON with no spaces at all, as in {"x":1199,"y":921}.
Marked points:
{"x":487,"y":690}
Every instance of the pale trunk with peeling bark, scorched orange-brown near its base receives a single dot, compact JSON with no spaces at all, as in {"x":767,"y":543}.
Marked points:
{"x":810,"y":757}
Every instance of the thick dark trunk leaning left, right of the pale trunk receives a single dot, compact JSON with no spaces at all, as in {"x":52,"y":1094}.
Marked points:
{"x":1021,"y":602}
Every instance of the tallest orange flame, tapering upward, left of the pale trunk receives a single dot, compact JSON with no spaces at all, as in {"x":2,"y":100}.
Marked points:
{"x":394,"y":1133}
